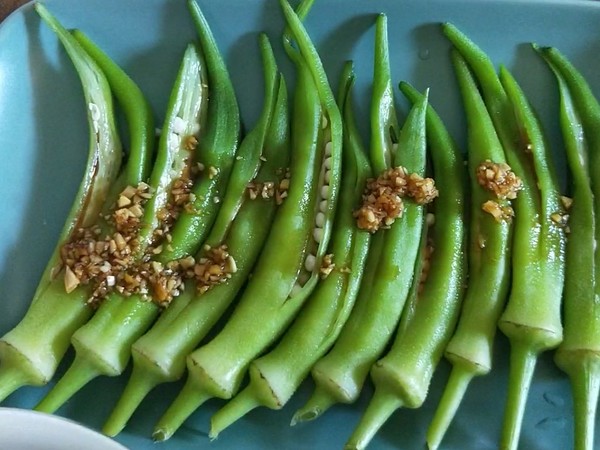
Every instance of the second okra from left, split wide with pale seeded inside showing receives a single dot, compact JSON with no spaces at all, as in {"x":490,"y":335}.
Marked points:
{"x":103,"y":345}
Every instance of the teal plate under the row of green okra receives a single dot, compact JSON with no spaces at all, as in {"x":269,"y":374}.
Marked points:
{"x":43,"y":145}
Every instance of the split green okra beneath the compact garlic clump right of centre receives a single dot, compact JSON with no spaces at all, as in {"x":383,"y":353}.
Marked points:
{"x":340,"y":374}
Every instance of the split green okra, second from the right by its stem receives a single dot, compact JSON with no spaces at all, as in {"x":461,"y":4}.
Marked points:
{"x":532,"y":317}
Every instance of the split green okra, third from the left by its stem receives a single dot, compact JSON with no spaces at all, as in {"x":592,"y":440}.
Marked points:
{"x":243,"y":225}
